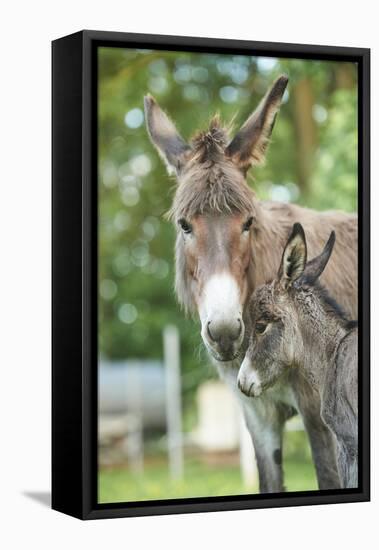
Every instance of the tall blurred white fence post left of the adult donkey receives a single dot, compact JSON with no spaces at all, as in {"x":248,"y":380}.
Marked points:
{"x":173,"y":401}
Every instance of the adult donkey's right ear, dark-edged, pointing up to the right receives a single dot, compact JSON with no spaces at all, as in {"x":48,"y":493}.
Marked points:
{"x":249,"y":145}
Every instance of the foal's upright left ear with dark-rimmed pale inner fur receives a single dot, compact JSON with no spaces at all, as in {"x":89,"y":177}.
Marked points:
{"x":294,"y":257}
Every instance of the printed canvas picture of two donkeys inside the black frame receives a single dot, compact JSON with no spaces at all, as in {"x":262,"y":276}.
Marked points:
{"x":227,"y":275}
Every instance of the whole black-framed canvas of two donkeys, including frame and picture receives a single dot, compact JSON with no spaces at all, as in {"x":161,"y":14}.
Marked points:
{"x":210,"y":275}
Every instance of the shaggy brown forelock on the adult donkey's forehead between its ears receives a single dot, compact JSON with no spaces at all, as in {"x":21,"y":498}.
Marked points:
{"x":210,"y":182}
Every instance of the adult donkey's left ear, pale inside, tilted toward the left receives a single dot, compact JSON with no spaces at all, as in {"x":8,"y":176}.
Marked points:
{"x":163,"y":134}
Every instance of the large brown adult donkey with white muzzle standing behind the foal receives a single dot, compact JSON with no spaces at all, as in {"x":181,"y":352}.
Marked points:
{"x":228,"y":242}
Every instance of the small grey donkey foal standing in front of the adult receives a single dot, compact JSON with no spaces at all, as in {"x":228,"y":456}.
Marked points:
{"x":299,"y":332}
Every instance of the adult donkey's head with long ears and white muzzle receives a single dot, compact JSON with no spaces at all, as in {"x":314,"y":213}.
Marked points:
{"x":214,"y":211}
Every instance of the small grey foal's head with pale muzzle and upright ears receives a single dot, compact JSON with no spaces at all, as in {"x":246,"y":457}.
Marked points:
{"x":280,"y":312}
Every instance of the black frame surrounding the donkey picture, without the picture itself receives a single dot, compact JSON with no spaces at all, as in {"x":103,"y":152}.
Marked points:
{"x":74,"y":273}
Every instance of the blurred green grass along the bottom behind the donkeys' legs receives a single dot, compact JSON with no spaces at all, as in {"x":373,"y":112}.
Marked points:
{"x":200,"y":479}
